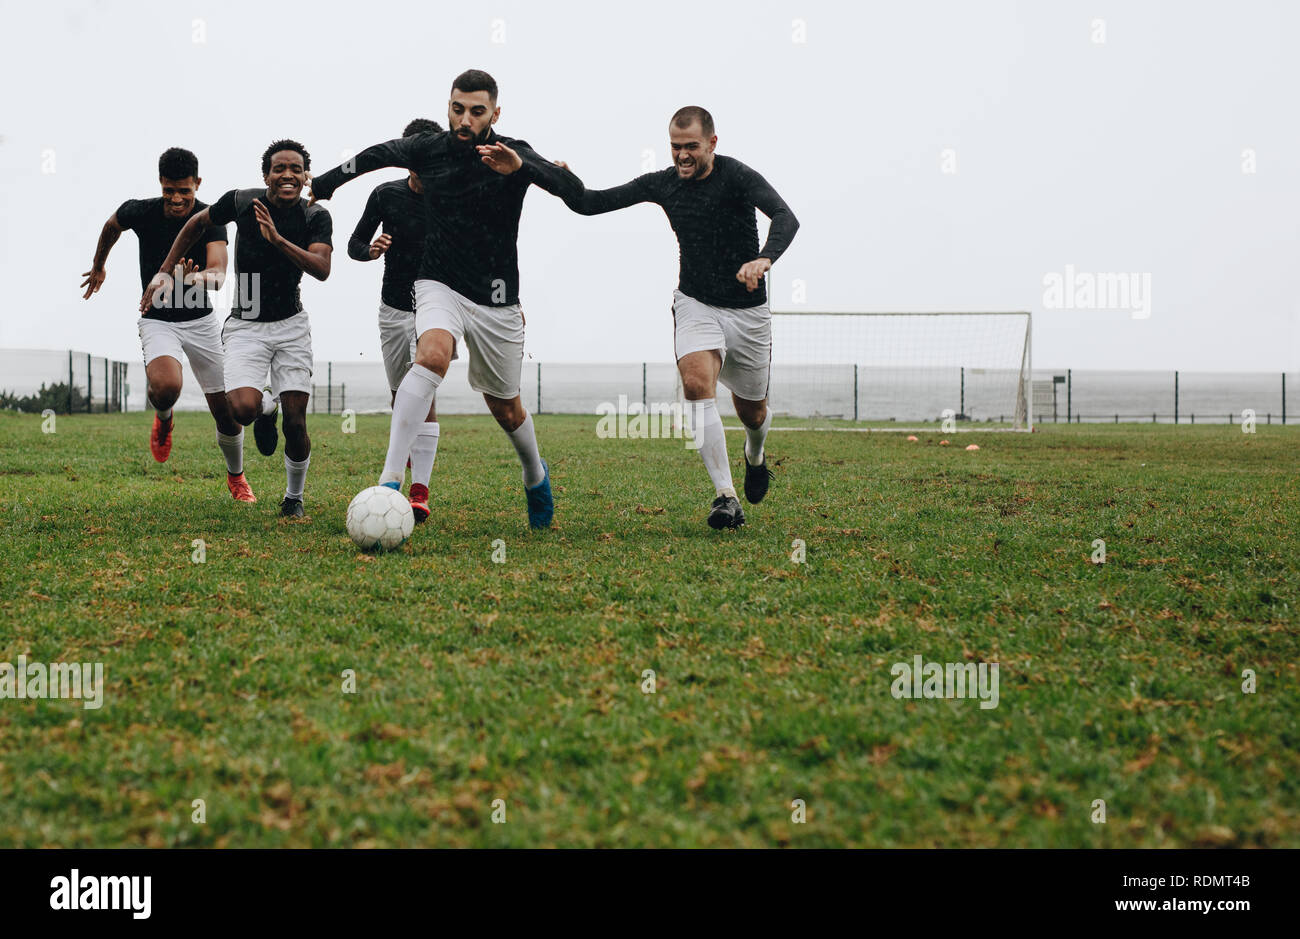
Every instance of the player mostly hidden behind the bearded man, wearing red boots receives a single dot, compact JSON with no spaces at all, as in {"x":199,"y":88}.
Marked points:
{"x":398,"y":206}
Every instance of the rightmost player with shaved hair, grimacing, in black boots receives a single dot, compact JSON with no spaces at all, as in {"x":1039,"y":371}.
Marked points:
{"x":723,"y":328}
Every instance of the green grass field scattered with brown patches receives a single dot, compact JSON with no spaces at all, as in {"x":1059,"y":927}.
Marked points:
{"x":523,"y":681}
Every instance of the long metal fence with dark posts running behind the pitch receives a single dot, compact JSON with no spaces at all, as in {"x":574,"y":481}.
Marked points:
{"x":73,"y":380}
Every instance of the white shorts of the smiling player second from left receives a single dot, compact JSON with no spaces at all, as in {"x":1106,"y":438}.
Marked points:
{"x":283,"y":348}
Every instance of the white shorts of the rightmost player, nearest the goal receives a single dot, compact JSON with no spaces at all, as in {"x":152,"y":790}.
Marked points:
{"x":742,"y":335}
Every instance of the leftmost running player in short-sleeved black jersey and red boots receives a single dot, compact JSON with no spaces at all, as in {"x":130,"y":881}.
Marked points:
{"x":184,"y":323}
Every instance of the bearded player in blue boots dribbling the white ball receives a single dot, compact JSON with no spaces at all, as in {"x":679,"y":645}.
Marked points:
{"x":467,"y":288}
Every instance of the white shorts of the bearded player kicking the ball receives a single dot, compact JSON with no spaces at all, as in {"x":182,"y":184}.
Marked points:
{"x":495,"y":336}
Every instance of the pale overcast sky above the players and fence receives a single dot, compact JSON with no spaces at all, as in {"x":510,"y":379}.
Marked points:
{"x":1150,"y":139}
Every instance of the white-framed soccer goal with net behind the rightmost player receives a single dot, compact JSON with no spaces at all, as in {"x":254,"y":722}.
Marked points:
{"x":892,"y":371}
